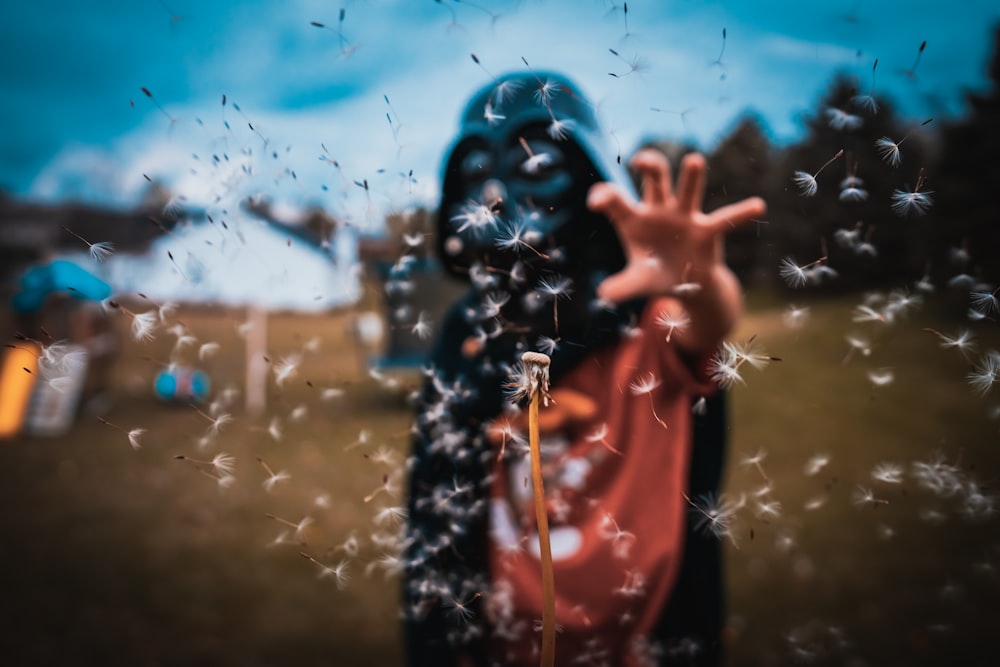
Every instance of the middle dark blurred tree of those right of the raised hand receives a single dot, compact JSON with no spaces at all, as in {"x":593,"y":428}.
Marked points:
{"x":849,"y":217}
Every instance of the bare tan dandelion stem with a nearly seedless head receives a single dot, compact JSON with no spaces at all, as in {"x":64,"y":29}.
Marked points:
{"x":538,"y":363}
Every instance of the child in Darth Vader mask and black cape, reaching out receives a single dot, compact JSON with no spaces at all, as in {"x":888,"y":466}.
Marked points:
{"x":630,"y":298}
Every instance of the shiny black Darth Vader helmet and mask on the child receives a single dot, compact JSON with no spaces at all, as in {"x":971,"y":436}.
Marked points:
{"x":513,"y":217}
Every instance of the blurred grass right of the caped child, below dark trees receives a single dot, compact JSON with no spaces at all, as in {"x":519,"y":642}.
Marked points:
{"x":915,"y":598}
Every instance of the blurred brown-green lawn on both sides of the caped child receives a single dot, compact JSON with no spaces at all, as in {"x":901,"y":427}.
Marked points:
{"x":118,"y":556}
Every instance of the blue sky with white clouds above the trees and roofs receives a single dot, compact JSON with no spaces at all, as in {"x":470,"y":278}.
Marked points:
{"x":78,"y":125}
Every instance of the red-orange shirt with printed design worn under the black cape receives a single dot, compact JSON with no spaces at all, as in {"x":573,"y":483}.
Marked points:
{"x":625,"y":513}
